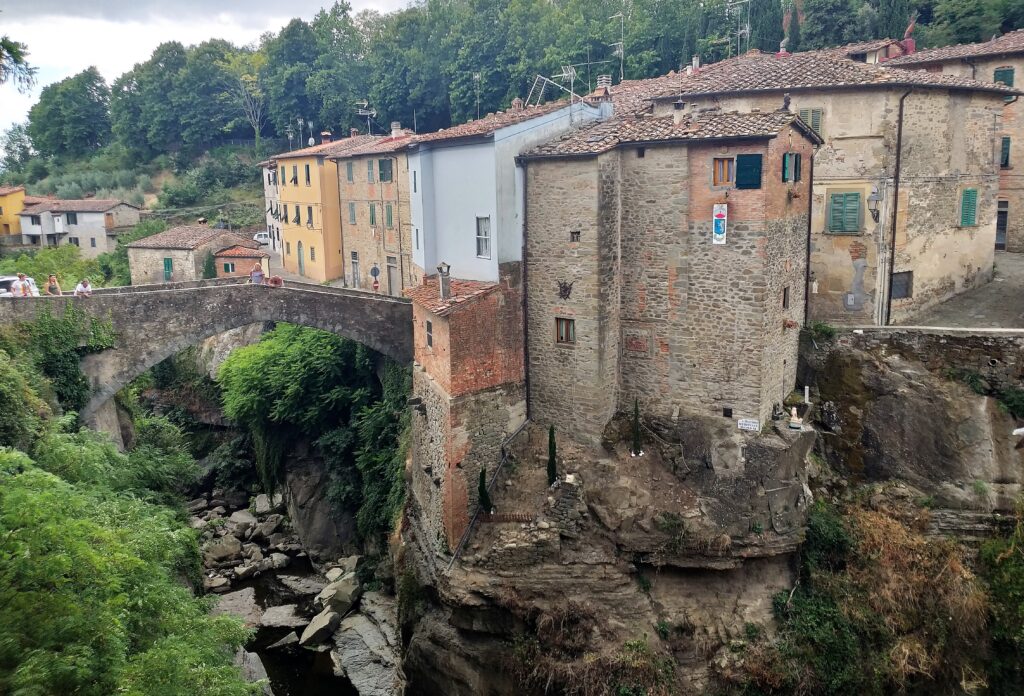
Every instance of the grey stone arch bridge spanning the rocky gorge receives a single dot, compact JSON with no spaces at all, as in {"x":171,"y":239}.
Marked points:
{"x":156,"y":322}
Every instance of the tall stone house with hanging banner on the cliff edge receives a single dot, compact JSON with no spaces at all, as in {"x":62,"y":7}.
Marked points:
{"x":666,"y":263}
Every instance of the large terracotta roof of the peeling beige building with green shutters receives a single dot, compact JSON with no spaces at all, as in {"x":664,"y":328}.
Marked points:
{"x":757,"y":72}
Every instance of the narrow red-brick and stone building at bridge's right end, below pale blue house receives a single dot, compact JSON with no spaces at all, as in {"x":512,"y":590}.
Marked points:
{"x":468,"y":380}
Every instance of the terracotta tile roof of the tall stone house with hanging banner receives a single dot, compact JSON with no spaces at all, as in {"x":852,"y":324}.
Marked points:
{"x":606,"y":136}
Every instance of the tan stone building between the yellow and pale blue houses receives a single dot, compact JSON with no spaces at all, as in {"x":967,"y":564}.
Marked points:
{"x":376,"y":221}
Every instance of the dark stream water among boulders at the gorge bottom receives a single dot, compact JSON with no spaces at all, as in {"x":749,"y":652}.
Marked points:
{"x":293,"y":671}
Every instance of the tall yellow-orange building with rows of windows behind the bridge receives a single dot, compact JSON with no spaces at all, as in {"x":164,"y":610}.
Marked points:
{"x":311,"y":222}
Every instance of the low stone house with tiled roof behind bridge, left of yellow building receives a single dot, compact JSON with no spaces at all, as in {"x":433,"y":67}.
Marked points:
{"x":180,"y":253}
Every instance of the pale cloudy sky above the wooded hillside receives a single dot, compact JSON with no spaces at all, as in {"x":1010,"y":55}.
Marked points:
{"x":68,"y":36}
